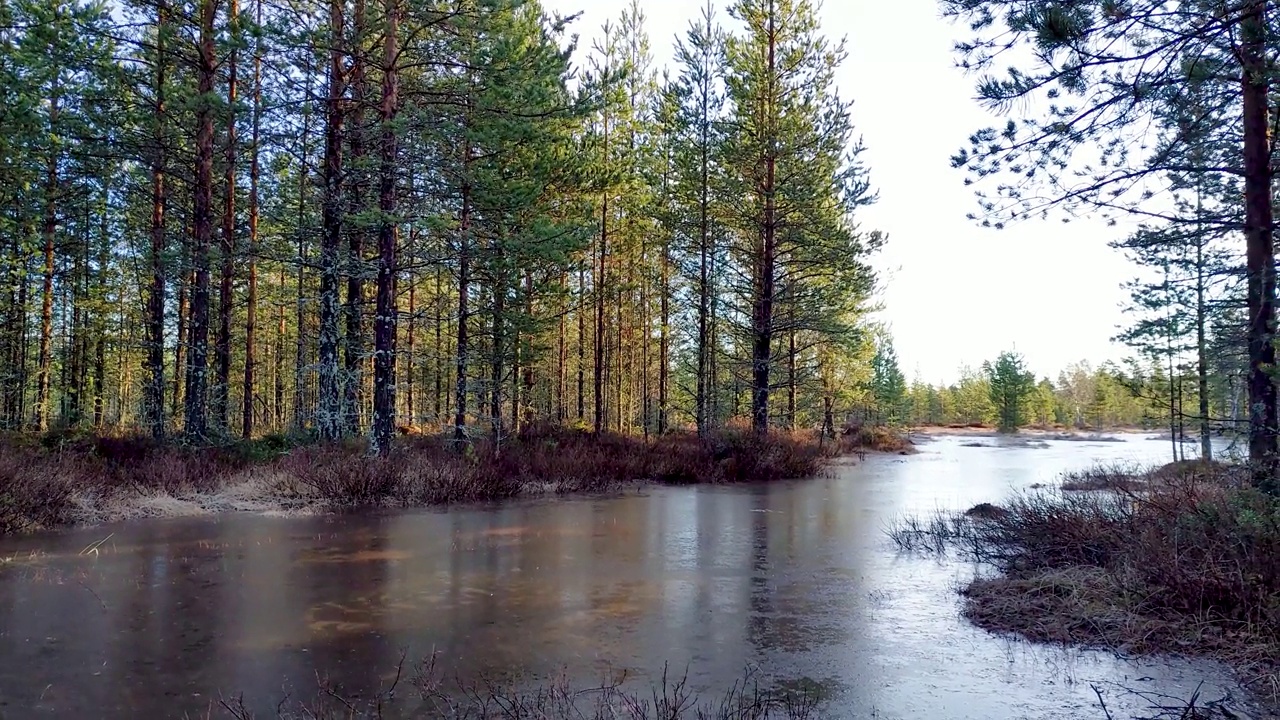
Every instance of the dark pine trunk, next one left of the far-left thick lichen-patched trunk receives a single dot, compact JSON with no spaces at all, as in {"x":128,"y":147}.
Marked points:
{"x":154,"y":411}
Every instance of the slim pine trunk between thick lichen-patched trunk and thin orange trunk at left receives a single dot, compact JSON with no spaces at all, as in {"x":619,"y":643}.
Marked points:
{"x":227,"y":276}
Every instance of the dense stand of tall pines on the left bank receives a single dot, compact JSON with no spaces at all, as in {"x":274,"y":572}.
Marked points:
{"x":236,"y":218}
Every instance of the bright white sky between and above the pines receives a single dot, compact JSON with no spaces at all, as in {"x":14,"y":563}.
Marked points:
{"x":954,"y":294}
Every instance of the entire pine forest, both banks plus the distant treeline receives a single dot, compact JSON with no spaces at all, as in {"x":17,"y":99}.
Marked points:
{"x":227,"y":220}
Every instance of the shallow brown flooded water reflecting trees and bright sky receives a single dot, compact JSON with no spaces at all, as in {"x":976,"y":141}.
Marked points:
{"x":796,"y":581}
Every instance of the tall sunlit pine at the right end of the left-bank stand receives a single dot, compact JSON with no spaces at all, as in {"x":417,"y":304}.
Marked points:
{"x":793,"y":157}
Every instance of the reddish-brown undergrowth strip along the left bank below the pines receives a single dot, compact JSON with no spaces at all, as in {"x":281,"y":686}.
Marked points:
{"x":60,"y":480}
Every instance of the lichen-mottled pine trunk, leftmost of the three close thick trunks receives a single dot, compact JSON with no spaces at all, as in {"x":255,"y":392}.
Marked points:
{"x":330,"y":409}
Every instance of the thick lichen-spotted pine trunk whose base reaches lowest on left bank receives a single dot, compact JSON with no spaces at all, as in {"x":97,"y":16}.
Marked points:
{"x":386,"y":320}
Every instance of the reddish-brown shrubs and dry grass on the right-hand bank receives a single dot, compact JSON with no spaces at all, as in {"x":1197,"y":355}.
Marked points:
{"x":1185,"y":559}
